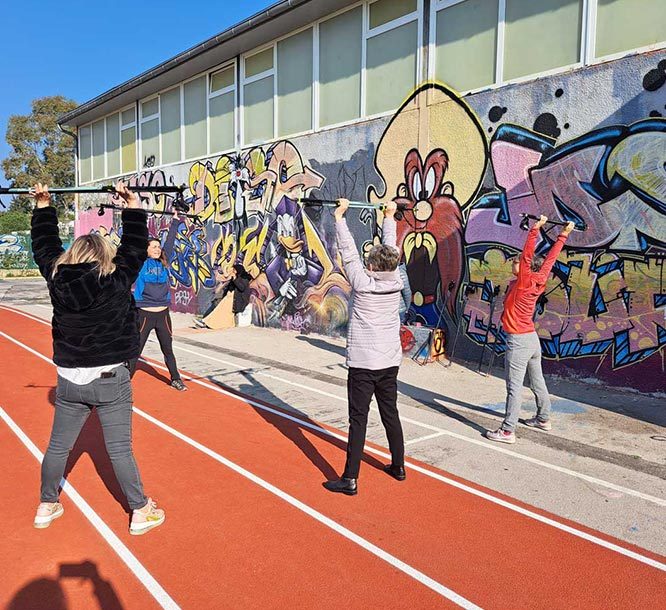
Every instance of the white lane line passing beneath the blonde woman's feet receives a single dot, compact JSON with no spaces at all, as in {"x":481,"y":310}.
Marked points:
{"x":126,"y":556}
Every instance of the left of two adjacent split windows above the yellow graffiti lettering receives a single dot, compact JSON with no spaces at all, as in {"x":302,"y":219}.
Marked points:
{"x":221,"y":105}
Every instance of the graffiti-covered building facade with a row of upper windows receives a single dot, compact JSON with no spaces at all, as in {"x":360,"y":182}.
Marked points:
{"x":470,"y":112}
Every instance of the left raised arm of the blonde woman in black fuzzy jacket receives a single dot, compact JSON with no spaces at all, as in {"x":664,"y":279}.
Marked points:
{"x":46,"y":244}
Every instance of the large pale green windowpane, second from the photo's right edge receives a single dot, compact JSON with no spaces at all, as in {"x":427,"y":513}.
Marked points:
{"x":542,"y":39}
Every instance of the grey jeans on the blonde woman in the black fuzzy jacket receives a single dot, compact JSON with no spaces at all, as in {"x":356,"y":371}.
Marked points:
{"x":113,"y":398}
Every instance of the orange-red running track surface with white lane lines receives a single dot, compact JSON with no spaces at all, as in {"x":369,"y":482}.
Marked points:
{"x":229,"y":542}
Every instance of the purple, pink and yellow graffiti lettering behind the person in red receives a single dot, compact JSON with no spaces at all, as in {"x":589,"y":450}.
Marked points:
{"x":607,"y":295}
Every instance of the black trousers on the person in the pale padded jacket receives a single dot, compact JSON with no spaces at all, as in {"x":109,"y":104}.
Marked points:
{"x":361,"y":385}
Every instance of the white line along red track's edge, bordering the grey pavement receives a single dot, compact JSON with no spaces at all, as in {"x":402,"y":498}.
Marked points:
{"x":435,"y":475}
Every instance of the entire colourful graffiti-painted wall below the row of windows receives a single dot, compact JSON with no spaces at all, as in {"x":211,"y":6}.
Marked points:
{"x":464,"y":170}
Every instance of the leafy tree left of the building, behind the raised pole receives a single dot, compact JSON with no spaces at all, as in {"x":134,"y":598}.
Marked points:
{"x":41,"y":152}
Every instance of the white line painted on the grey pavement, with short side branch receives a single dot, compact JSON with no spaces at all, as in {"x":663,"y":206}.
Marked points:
{"x":443,"y":432}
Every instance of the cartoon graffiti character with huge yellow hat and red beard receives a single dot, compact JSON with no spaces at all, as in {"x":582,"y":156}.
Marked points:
{"x":436,"y":176}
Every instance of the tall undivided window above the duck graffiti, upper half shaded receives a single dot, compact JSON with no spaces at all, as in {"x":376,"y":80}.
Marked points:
{"x":294,"y":74}
